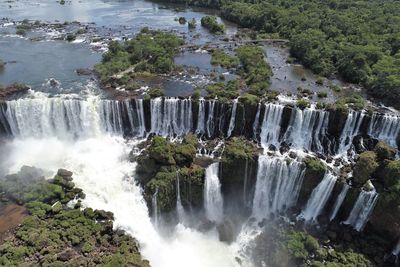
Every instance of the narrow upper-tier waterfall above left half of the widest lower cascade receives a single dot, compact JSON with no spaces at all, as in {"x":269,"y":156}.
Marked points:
{"x":271,"y":125}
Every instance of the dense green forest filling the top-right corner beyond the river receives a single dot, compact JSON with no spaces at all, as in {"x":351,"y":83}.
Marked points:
{"x":359,"y":40}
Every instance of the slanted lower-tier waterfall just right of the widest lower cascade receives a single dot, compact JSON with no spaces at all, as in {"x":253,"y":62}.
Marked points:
{"x":318,"y":198}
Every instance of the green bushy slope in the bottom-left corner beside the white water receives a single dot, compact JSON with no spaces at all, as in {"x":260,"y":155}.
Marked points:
{"x":54,"y":234}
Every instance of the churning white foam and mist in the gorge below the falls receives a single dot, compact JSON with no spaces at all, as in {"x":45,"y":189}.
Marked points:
{"x":102,"y":170}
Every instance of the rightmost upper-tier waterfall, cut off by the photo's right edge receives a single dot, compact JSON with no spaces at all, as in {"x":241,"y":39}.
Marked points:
{"x":385,"y":127}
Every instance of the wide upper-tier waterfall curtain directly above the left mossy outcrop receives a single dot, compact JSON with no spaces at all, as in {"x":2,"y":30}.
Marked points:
{"x":171,"y":116}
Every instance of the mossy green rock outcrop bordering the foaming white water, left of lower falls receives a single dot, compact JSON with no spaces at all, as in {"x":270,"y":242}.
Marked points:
{"x":162,"y":163}
